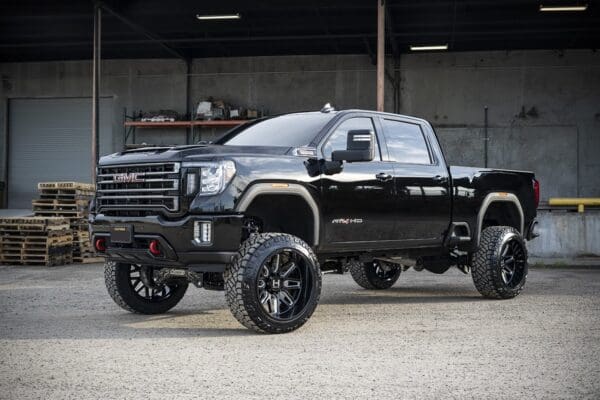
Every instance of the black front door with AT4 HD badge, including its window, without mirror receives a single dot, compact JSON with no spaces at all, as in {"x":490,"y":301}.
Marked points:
{"x":357,"y":203}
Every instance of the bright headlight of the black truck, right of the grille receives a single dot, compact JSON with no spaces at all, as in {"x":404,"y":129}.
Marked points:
{"x":213,"y":176}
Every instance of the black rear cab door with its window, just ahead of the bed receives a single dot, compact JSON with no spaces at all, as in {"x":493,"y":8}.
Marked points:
{"x":421,"y":181}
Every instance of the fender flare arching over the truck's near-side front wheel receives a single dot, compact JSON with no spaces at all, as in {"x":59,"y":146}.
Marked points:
{"x":278,"y":188}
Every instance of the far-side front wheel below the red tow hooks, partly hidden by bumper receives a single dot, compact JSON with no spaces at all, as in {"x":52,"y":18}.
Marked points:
{"x":135,"y":288}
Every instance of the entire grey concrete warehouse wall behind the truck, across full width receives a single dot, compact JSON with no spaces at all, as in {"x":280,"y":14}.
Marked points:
{"x":559,"y":138}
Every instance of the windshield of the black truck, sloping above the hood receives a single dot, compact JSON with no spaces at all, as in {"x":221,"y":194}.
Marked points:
{"x":290,"y":130}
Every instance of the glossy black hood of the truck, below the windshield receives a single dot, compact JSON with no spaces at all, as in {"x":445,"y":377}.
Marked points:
{"x":189,"y":153}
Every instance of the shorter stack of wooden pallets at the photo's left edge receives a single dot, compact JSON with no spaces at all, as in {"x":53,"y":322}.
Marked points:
{"x":36,"y":241}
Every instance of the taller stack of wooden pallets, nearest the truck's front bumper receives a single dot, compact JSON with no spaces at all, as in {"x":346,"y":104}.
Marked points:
{"x":70,"y":200}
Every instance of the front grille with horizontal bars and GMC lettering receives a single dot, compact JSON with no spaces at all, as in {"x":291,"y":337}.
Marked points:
{"x":138,"y":189}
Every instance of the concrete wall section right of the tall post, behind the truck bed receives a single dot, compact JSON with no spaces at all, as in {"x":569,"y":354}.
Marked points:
{"x":558,"y":135}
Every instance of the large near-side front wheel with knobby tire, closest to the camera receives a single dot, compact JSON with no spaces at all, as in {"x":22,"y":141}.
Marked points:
{"x":274,"y":283}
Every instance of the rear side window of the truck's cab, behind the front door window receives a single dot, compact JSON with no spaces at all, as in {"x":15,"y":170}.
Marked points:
{"x":405,"y":142}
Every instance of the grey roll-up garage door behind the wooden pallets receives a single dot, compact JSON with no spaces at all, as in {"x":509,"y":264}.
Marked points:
{"x":50,"y":140}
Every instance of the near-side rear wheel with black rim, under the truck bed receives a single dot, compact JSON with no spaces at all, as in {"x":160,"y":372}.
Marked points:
{"x":499,"y":266}
